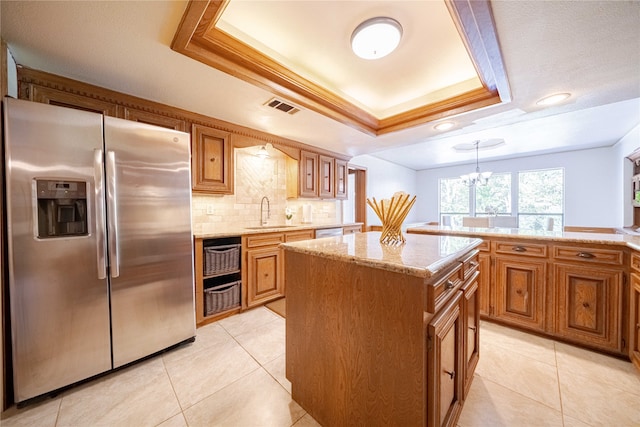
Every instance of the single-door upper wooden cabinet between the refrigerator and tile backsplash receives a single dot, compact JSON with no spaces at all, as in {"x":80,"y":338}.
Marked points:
{"x":211,"y":160}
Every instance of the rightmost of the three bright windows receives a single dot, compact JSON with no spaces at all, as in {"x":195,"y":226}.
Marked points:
{"x":541,"y":199}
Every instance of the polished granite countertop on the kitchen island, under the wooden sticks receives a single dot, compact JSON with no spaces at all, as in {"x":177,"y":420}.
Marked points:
{"x":421,"y":255}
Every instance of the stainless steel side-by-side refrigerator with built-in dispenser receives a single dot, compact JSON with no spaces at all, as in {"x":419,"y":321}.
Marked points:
{"x":99,"y":243}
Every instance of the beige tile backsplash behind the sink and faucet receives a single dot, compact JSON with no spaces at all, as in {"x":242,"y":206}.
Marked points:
{"x":255,"y":178}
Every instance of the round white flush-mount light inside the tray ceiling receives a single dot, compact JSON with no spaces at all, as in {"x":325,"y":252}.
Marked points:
{"x":376,"y":37}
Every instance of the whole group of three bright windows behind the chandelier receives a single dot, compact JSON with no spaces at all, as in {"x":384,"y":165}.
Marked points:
{"x":535,"y":197}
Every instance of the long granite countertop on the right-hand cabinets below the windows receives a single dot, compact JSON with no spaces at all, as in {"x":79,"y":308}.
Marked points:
{"x":521,"y":233}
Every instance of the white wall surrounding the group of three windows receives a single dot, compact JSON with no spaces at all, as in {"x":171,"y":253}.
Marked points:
{"x":592,"y":184}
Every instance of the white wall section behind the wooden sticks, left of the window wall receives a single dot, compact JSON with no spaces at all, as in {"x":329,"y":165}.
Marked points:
{"x":383,"y":180}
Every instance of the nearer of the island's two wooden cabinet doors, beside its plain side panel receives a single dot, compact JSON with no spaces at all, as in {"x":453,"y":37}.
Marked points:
{"x":445,"y":364}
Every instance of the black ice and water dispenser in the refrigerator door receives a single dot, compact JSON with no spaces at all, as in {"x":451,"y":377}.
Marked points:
{"x":62,"y":208}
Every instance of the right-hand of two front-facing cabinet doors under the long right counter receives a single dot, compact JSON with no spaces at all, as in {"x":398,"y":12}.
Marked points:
{"x":589,"y":304}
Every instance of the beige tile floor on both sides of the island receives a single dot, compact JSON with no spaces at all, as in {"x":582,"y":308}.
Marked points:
{"x":233,"y":375}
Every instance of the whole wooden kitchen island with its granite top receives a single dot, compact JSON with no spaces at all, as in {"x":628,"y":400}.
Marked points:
{"x":382,"y":335}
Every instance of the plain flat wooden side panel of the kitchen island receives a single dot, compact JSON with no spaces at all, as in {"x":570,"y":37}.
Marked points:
{"x":355,"y":342}
